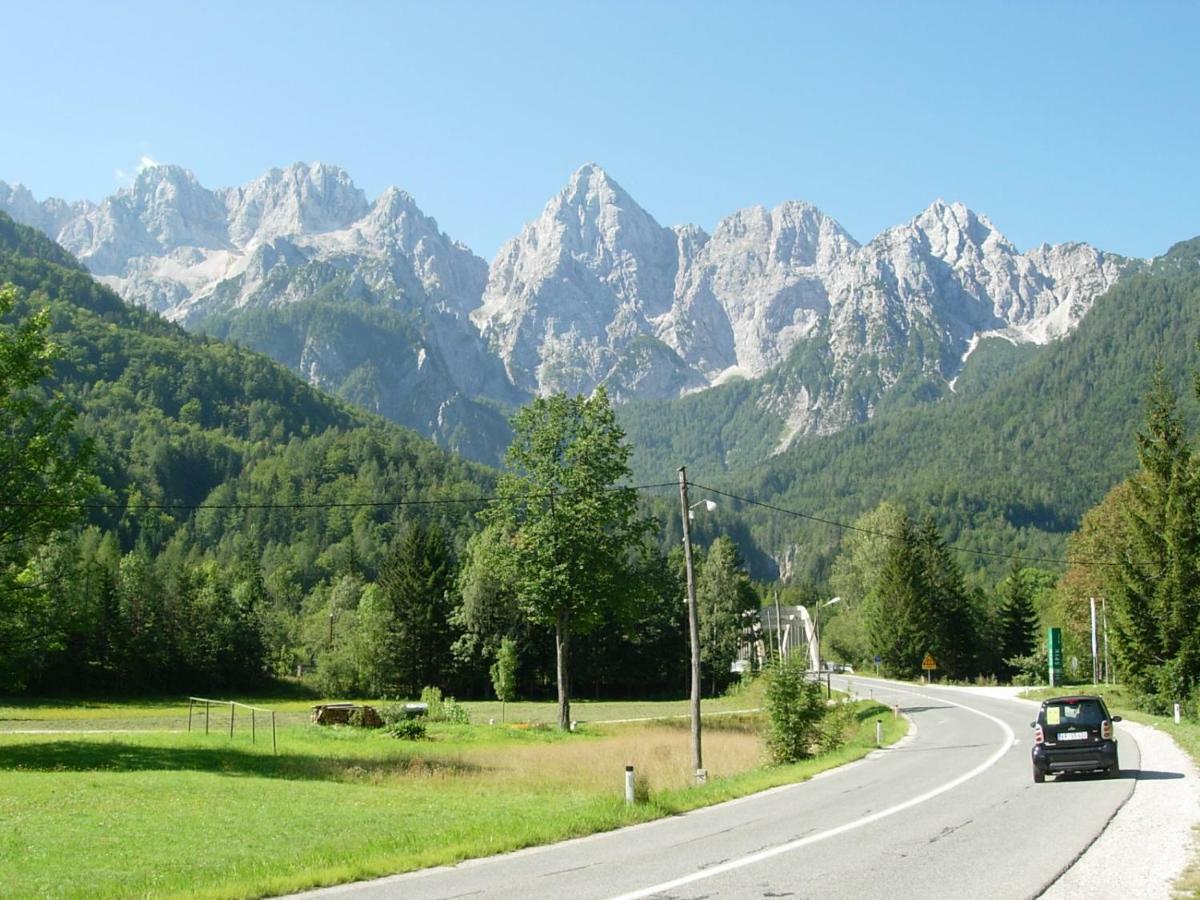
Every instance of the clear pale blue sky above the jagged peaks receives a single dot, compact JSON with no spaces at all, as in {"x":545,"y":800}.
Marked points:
{"x":1060,"y":122}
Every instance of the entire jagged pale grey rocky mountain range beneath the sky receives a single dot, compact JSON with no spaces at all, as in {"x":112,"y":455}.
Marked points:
{"x":373,"y":302}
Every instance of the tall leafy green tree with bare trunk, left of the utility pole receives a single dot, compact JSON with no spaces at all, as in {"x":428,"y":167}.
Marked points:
{"x":574,"y":530}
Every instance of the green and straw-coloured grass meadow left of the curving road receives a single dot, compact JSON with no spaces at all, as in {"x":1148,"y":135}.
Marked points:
{"x":170,"y":814}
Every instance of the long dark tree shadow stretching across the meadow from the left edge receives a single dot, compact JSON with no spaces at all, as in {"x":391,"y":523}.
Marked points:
{"x":118,"y":757}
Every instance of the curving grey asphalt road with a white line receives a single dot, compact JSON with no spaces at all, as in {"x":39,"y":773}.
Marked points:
{"x":950,"y":813}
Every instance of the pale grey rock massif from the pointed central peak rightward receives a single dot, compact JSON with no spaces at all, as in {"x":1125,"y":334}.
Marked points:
{"x":596,"y":291}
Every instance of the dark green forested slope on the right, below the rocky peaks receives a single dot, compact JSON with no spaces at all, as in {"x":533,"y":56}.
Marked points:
{"x":1010,"y":470}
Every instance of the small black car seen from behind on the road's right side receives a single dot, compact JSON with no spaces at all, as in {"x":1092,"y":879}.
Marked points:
{"x":1075,"y":735}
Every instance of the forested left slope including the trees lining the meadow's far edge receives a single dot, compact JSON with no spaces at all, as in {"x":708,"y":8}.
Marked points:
{"x":244,"y":525}
